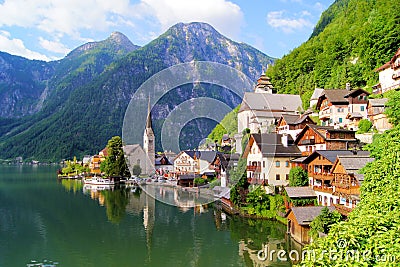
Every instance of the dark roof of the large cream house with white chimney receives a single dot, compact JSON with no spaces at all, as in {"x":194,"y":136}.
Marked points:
{"x":271,"y":145}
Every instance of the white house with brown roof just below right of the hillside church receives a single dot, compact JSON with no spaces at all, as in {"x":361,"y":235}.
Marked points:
{"x":292,"y":124}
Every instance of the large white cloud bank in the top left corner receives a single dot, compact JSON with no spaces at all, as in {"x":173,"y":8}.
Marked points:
{"x":64,"y":17}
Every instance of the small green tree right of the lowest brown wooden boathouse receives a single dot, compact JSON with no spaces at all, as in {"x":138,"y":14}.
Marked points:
{"x":323,"y":222}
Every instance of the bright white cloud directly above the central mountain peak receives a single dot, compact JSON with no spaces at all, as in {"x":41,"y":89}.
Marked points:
{"x":225,"y":16}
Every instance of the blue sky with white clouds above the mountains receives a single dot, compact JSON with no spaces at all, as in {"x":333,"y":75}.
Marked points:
{"x":50,"y":29}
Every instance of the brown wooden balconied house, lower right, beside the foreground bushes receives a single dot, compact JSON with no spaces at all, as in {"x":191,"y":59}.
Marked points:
{"x":347,"y":180}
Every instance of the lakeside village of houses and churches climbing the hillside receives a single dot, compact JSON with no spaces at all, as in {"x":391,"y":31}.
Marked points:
{"x":275,"y":135}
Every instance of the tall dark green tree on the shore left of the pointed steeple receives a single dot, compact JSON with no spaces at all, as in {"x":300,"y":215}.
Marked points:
{"x":115,"y":163}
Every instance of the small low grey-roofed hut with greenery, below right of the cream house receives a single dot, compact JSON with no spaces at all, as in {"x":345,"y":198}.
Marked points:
{"x":300,"y":196}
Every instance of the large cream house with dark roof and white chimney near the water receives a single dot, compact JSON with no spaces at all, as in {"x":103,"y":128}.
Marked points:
{"x":268,"y":159}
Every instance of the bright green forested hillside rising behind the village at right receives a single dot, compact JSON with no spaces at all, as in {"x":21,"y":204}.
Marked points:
{"x":351,"y":39}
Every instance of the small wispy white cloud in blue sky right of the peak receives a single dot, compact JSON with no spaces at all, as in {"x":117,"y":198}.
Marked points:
{"x":277,"y":19}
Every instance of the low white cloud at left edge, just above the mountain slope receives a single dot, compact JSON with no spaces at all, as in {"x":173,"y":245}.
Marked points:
{"x":17,"y":47}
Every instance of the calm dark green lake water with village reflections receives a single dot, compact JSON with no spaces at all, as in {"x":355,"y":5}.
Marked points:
{"x":44,"y":220}
